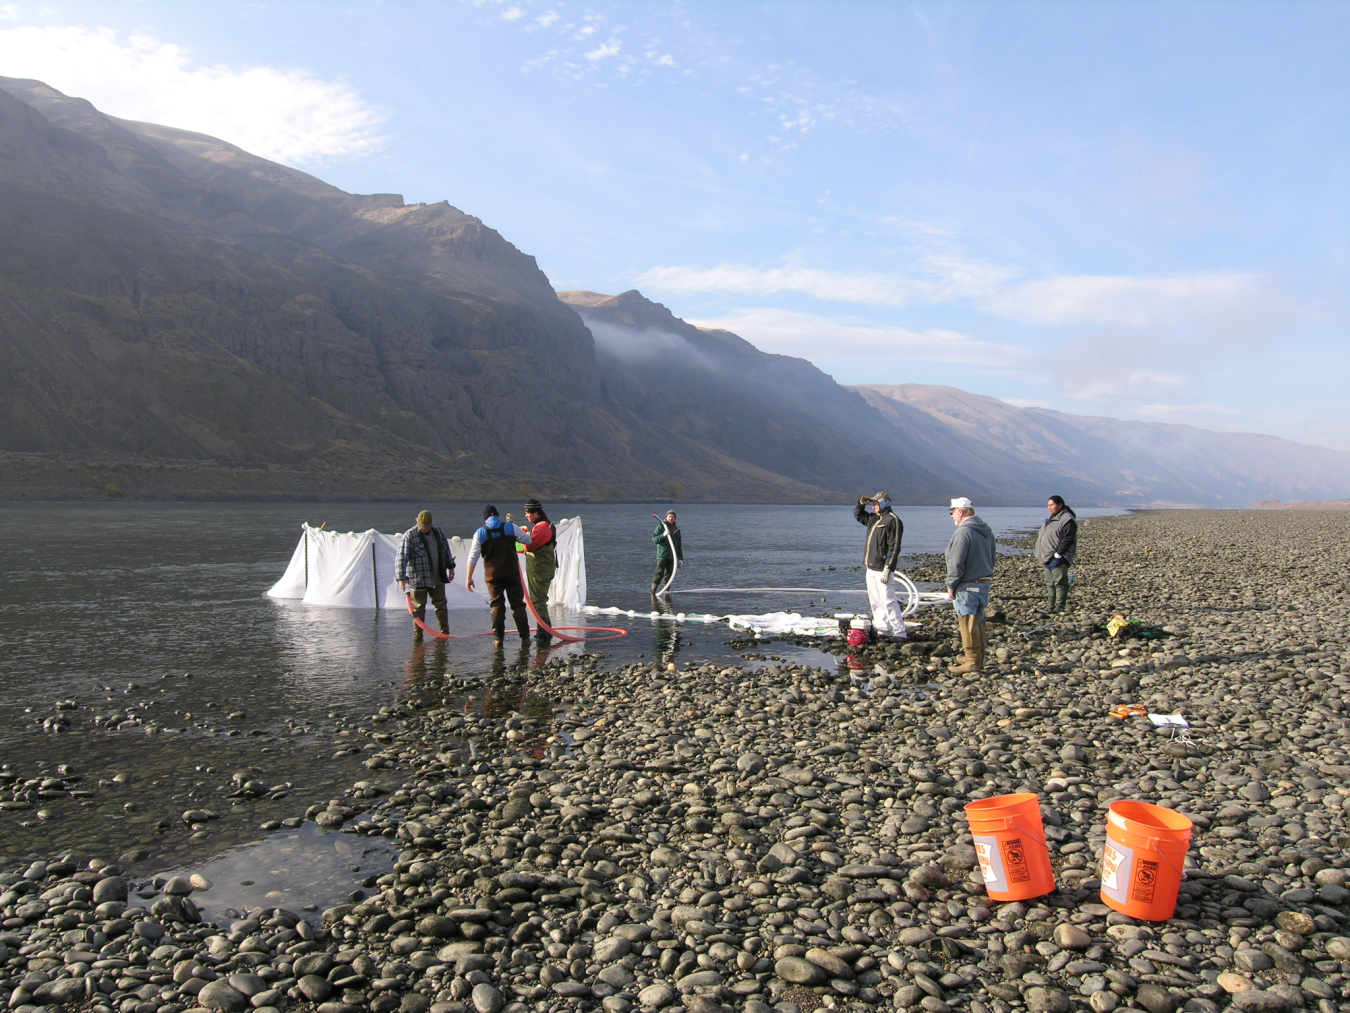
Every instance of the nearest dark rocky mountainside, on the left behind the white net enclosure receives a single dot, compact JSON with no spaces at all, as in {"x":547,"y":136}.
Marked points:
{"x":168,"y":298}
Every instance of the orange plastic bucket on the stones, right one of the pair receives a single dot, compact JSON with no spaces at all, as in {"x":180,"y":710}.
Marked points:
{"x":1144,"y":857}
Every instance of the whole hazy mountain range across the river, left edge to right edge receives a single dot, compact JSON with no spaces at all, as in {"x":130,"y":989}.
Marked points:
{"x":179,"y":317}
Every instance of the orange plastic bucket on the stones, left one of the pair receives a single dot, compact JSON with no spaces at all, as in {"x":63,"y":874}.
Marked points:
{"x":1010,"y":845}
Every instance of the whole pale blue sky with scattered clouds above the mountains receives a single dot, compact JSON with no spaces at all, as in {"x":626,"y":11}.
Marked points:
{"x":1131,"y":210}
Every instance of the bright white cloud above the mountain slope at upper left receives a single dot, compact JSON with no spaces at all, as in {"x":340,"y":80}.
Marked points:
{"x":284,"y":114}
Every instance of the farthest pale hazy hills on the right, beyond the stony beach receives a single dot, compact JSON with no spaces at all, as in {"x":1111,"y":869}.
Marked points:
{"x":1024,"y":454}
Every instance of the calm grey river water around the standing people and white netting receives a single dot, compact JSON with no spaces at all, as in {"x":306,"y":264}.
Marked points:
{"x":119,"y":618}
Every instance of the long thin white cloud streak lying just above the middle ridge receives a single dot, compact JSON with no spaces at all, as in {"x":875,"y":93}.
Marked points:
{"x":823,"y":340}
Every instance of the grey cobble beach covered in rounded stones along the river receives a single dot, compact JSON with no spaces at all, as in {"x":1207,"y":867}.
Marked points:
{"x":707,"y":838}
